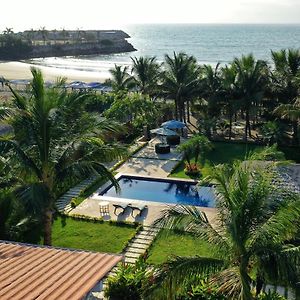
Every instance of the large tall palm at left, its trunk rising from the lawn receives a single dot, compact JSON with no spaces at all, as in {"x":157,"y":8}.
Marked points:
{"x":48,"y":151}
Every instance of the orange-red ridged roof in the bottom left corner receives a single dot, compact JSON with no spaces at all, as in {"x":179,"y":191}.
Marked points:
{"x":37,"y":272}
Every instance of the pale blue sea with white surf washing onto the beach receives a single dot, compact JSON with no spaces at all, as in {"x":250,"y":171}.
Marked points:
{"x":210,"y":44}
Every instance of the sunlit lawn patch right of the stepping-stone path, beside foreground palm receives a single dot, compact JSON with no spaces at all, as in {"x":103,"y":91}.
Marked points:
{"x":170,"y":244}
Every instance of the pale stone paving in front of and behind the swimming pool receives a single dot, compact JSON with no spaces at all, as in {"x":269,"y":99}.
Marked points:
{"x":145,"y":163}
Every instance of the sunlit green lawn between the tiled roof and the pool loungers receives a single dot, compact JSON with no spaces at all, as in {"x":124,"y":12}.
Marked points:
{"x":101,"y":237}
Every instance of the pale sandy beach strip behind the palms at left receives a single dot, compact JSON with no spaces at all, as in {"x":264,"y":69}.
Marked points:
{"x":21,"y":70}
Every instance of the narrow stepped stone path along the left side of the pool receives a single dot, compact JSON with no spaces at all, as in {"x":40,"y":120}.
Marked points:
{"x":63,"y":203}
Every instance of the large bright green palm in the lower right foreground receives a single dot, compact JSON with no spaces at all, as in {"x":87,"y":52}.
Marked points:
{"x":249,"y":238}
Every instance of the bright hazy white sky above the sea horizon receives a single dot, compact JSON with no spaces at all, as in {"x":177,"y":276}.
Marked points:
{"x":113,"y":14}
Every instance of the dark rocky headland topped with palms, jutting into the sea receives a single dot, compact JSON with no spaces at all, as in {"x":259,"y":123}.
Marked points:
{"x":56,"y":45}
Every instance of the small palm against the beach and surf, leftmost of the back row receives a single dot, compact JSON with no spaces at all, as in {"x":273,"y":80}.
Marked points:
{"x":121,"y":80}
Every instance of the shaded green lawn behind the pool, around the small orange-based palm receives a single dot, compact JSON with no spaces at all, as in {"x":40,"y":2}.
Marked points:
{"x":223,"y":152}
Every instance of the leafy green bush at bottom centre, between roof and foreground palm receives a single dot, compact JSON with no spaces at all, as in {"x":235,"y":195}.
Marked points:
{"x":130,"y":282}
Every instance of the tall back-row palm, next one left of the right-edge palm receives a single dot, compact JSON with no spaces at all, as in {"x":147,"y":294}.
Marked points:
{"x":251,"y":82}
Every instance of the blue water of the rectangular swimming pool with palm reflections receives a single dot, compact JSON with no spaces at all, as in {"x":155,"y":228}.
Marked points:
{"x":166,"y":191}
